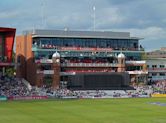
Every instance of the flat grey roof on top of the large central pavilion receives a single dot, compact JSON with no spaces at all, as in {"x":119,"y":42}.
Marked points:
{"x":80,"y":34}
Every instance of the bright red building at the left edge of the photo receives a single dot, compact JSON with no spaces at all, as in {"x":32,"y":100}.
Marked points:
{"x":7,"y":36}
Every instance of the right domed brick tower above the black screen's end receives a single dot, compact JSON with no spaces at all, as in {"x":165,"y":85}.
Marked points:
{"x":121,"y":62}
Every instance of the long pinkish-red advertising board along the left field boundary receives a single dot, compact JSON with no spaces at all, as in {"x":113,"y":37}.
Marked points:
{"x":28,"y":98}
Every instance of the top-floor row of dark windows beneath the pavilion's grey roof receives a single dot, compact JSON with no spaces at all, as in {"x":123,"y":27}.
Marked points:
{"x":84,"y":42}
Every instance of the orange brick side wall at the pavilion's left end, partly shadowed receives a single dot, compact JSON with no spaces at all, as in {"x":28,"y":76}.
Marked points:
{"x":27,"y":68}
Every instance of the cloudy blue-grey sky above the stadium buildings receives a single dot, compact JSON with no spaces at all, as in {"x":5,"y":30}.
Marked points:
{"x":142,"y":18}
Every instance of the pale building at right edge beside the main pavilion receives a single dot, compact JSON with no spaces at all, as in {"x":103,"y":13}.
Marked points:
{"x":156,"y":63}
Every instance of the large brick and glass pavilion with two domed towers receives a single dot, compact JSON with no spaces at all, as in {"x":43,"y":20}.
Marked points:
{"x":79,"y":52}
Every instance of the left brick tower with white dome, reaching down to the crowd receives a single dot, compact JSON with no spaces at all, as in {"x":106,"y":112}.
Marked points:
{"x":56,"y":69}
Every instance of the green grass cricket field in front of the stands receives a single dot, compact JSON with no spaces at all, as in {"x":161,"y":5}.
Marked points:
{"x":134,"y":110}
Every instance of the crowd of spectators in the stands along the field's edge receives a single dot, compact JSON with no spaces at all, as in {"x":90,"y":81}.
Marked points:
{"x":13,"y":87}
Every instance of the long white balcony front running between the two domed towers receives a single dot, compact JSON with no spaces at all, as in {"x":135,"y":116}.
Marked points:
{"x":89,"y":65}
